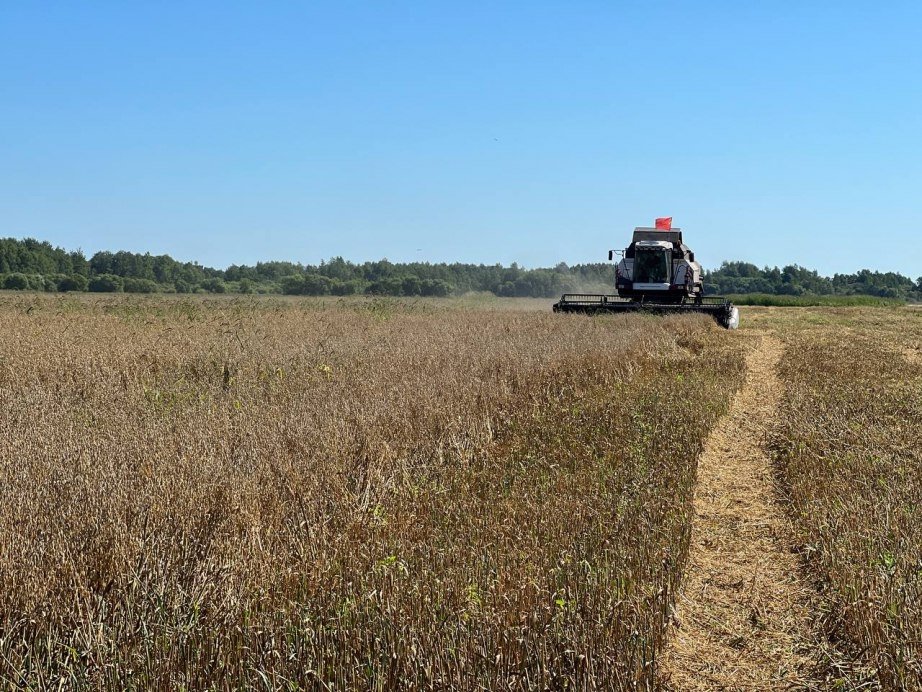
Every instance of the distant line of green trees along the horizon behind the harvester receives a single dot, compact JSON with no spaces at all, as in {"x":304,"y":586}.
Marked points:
{"x":38,"y":266}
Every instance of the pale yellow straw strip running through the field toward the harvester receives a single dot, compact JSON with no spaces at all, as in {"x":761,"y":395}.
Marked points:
{"x":743,"y":619}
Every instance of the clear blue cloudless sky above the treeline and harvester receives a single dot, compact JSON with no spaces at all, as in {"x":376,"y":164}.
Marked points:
{"x":536,"y":132}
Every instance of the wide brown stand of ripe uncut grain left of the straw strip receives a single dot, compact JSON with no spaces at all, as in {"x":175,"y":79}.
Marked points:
{"x":369,"y":495}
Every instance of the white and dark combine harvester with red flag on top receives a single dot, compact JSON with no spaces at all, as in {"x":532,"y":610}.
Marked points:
{"x":657,"y":273}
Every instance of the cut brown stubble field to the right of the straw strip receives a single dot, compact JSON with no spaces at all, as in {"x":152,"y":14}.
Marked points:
{"x":849,"y":452}
